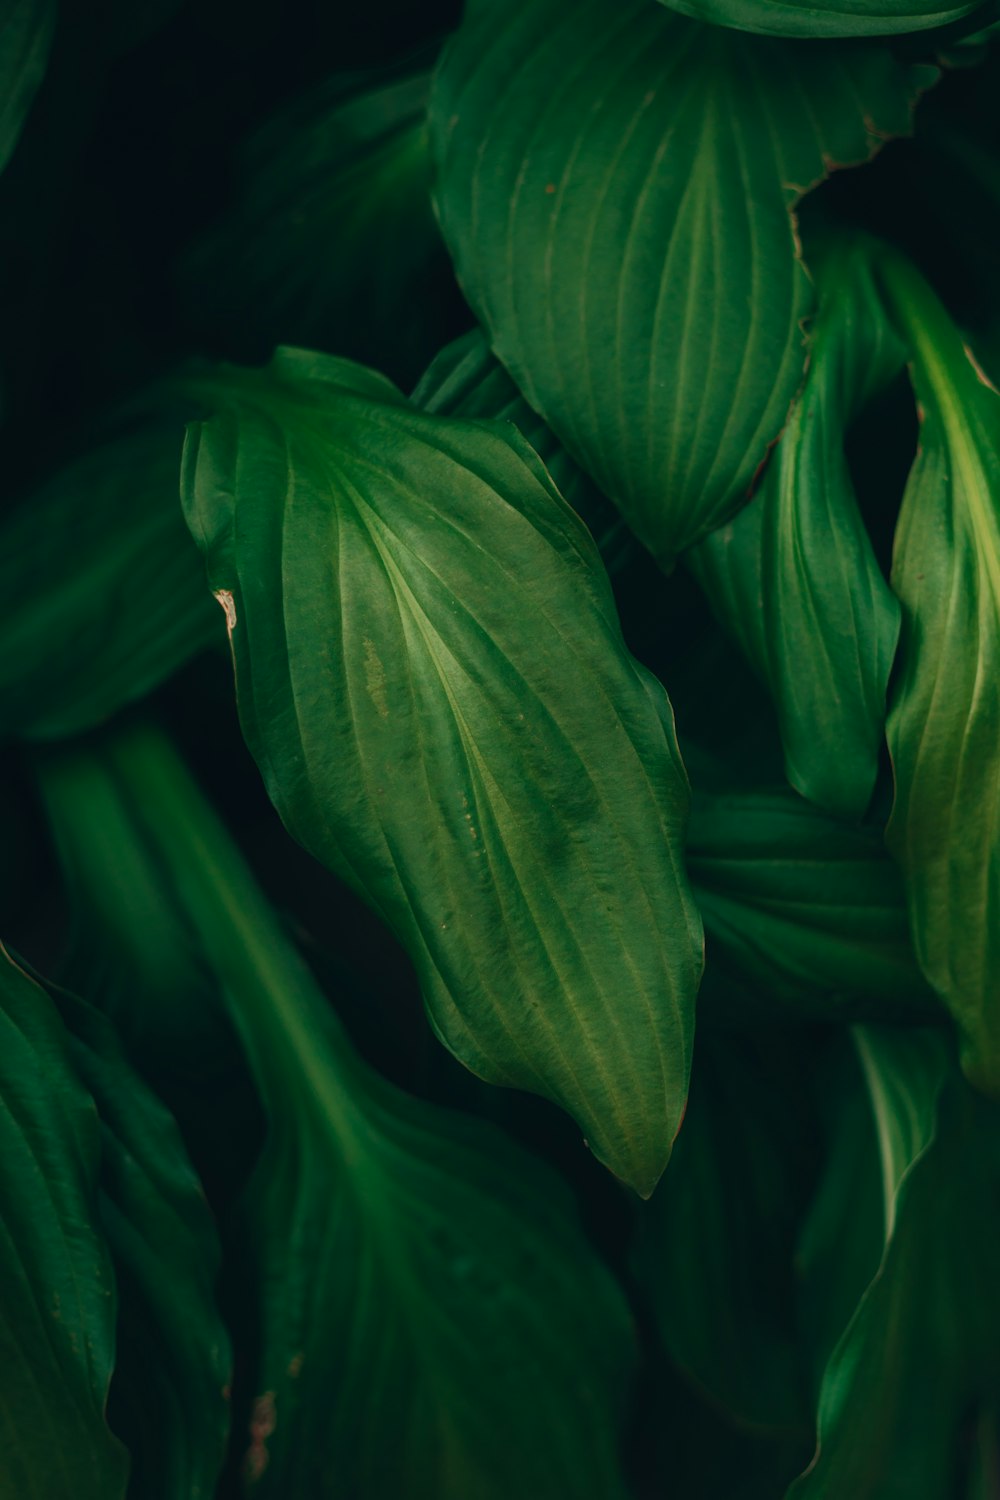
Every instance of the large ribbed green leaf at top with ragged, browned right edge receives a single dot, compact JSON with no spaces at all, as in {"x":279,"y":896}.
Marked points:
{"x":617,"y":188}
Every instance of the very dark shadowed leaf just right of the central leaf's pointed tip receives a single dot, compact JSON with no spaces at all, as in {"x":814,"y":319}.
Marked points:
{"x":717,"y":1240}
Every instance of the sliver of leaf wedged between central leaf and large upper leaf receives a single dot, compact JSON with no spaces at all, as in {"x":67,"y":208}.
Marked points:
{"x":467,"y":380}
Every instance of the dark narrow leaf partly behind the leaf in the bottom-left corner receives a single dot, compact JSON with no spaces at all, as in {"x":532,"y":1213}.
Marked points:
{"x":170,"y":1390}
